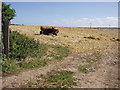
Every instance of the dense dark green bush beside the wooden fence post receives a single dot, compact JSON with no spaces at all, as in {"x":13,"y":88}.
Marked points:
{"x":22,"y":47}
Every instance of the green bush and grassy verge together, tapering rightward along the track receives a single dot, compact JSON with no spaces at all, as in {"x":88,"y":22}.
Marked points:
{"x":25,"y":53}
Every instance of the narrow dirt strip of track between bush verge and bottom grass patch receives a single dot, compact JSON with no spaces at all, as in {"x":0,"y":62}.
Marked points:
{"x":26,"y":76}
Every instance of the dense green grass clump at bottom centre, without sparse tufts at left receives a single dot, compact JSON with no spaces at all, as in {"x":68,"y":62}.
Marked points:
{"x":59,"y":79}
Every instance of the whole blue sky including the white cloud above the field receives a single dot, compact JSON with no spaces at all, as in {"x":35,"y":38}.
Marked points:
{"x":67,"y":14}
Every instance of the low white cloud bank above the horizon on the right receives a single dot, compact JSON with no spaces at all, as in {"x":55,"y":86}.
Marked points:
{"x":86,"y":22}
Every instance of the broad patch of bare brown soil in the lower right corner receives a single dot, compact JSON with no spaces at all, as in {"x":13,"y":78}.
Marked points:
{"x":106,"y":76}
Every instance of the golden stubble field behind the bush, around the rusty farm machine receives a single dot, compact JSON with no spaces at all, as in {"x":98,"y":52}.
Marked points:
{"x":78,"y":39}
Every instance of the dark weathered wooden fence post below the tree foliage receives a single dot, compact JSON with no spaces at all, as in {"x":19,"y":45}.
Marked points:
{"x":6,"y":37}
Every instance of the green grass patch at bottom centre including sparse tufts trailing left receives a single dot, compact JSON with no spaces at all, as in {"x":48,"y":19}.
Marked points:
{"x":55,"y":79}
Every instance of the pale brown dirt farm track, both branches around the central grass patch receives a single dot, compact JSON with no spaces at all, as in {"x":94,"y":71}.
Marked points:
{"x":105,"y":76}
